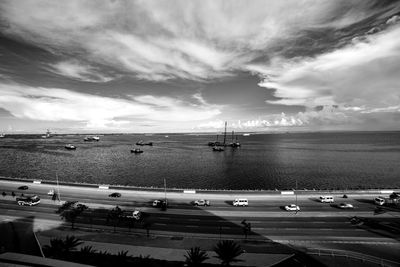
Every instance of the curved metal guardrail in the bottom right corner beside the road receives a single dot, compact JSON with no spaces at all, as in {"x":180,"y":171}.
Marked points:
{"x":352,"y":255}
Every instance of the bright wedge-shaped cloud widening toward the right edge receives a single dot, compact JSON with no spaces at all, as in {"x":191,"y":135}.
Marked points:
{"x":359,"y":74}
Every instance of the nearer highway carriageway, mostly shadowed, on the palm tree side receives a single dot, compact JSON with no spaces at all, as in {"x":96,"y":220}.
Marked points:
{"x":206,"y":223}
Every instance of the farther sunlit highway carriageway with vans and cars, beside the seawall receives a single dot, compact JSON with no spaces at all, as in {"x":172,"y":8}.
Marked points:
{"x":142,"y":200}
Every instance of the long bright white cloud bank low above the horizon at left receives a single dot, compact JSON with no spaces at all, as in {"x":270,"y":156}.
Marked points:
{"x":53,"y":104}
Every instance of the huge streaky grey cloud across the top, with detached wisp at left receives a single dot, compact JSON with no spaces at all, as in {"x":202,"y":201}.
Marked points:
{"x":158,"y":40}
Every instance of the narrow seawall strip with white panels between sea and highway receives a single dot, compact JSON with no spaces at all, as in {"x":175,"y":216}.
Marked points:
{"x":206,"y":191}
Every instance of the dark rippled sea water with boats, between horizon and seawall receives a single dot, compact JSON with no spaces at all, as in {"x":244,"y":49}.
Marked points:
{"x":351,"y":160}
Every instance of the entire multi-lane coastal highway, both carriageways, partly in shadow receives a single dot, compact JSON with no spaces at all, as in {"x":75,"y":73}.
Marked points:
{"x":317,"y":223}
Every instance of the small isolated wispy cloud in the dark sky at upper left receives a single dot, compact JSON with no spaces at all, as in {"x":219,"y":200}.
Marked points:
{"x":75,"y":70}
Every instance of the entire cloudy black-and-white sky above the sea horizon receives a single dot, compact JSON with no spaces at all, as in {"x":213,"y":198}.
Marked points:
{"x":189,"y":66}
